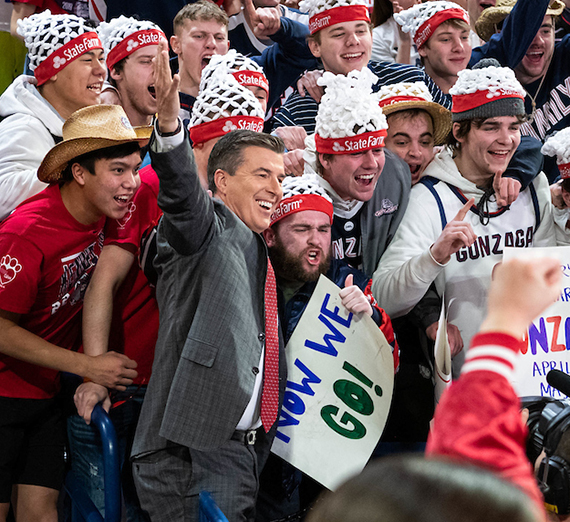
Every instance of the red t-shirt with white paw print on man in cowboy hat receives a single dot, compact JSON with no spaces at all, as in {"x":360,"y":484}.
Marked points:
{"x":46,"y":260}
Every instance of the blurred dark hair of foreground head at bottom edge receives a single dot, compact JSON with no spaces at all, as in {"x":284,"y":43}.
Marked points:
{"x":415,"y":489}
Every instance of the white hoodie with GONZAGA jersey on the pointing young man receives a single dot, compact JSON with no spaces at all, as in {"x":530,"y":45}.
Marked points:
{"x":407,"y":269}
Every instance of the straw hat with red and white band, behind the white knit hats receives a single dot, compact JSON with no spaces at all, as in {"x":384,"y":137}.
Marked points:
{"x":407,"y":96}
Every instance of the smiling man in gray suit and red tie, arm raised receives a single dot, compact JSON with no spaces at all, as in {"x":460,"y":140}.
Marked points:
{"x":201,"y":414}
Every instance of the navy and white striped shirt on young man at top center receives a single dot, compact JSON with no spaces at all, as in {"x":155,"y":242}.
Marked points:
{"x":302,"y":110}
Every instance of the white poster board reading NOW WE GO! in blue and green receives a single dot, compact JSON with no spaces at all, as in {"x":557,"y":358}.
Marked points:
{"x":339,"y":389}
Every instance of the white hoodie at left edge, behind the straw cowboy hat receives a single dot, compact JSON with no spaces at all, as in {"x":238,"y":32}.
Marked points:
{"x":27,"y":133}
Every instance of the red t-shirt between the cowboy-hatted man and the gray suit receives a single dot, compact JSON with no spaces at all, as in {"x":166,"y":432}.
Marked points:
{"x":134,"y":329}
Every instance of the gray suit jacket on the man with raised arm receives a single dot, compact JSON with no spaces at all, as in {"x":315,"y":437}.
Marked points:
{"x":210,"y":293}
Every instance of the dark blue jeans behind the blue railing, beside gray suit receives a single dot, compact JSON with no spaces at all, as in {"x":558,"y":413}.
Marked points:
{"x":87,"y":455}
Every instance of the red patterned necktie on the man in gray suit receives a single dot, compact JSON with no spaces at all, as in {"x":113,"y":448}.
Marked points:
{"x":270,"y":394}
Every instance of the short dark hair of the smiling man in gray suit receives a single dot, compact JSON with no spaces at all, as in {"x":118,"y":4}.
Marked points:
{"x":227,"y":153}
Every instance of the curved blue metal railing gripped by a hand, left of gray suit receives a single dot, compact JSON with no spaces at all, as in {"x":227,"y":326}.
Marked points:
{"x":81,"y":505}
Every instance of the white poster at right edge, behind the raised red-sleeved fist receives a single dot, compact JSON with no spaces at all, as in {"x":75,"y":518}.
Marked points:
{"x":548,"y":338}
